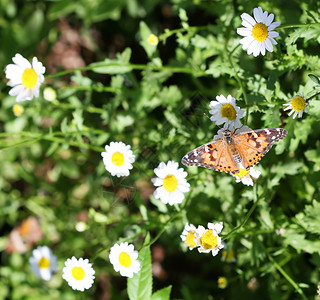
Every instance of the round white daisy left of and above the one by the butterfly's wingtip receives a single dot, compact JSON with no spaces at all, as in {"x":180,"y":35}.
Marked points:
{"x":118,"y":159}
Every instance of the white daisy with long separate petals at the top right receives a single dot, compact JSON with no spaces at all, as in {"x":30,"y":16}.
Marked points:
{"x":258,"y":32}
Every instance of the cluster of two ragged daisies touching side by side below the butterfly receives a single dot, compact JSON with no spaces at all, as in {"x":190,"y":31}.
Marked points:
{"x":206,"y":240}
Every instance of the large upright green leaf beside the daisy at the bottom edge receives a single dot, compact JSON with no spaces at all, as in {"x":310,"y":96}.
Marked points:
{"x":140,"y":285}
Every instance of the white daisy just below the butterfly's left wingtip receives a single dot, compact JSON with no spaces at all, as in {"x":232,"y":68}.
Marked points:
{"x":171,"y":183}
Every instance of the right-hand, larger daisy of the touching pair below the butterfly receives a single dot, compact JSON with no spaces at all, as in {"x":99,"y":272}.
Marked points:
{"x":208,"y":240}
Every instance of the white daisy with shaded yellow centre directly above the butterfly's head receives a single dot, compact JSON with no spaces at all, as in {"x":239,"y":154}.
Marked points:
{"x":224,"y":110}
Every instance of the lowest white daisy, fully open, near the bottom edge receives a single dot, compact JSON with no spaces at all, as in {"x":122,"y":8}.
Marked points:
{"x":78,"y":273}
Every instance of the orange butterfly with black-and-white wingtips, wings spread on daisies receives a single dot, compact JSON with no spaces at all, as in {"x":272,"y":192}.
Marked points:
{"x":230,"y":151}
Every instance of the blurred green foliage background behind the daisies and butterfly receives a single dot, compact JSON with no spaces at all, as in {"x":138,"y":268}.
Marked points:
{"x":154,"y":99}
